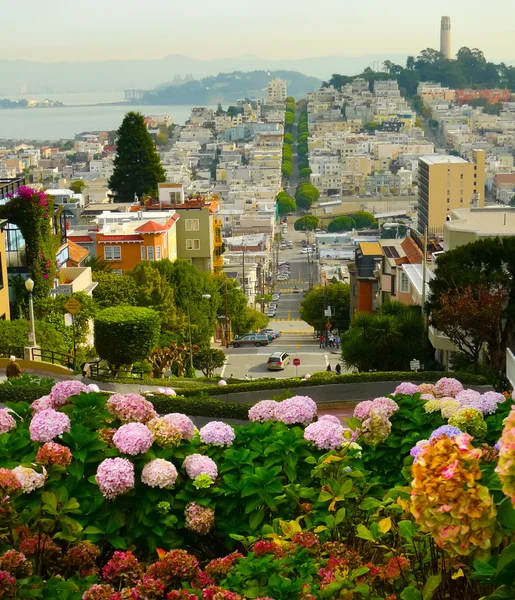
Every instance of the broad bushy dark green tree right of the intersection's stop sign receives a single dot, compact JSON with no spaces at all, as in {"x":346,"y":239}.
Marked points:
{"x":384,"y":341}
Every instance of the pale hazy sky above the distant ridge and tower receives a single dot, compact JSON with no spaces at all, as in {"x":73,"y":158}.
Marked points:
{"x":104,"y":29}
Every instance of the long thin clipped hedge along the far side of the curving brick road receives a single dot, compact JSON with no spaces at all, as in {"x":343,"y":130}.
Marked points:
{"x":321,"y":378}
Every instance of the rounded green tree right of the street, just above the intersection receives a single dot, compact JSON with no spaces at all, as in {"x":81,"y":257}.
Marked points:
{"x":335,"y":295}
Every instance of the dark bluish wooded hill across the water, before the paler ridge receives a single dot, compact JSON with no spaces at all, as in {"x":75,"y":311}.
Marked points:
{"x":227,"y":88}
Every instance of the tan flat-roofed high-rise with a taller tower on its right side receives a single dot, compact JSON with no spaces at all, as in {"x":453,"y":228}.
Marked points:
{"x":446,"y":183}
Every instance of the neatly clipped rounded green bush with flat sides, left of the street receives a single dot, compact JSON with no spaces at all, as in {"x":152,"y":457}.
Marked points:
{"x":126,"y":334}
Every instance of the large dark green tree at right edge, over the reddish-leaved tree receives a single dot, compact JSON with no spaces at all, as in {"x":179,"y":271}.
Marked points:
{"x":488,"y":264}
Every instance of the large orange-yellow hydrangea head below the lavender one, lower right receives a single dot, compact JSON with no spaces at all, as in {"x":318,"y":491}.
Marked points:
{"x":447,"y":500}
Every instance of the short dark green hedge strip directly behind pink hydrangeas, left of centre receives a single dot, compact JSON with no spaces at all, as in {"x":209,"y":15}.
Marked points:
{"x":200,"y":407}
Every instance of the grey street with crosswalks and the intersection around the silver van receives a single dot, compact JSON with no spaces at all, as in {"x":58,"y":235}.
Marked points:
{"x":297,"y":337}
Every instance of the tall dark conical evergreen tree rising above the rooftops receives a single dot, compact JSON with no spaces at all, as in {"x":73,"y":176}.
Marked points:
{"x":137,"y":166}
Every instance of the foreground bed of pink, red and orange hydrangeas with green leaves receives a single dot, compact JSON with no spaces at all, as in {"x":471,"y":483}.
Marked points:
{"x":104,"y":500}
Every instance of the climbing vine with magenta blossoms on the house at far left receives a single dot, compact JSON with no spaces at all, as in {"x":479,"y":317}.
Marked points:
{"x":33,"y":212}
